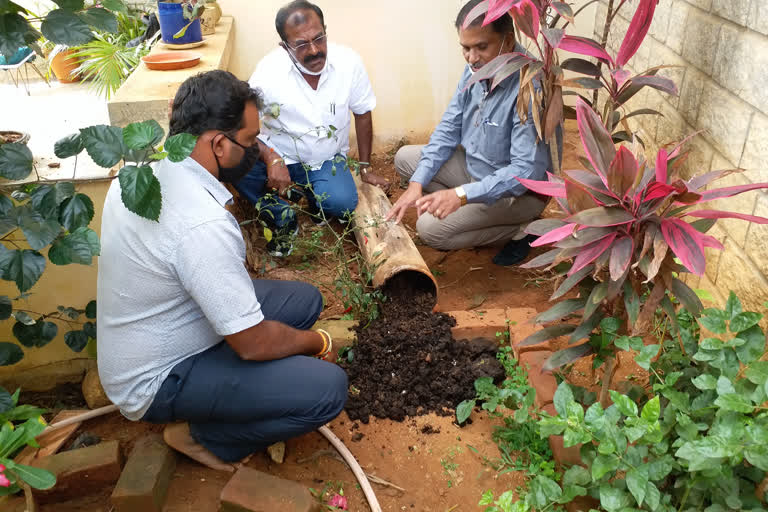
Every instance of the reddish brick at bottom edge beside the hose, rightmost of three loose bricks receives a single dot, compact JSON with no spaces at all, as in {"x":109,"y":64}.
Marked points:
{"x":253,"y":491}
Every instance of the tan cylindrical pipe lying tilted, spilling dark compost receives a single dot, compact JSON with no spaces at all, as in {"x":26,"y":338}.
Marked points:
{"x":386,"y":243}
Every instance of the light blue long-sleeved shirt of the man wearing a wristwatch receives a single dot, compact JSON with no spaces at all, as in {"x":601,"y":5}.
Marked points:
{"x":498,"y":146}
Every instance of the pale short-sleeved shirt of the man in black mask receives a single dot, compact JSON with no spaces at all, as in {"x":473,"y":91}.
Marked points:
{"x":168,"y":290}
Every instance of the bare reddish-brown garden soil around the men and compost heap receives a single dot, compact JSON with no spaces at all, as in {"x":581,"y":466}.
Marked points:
{"x":428,"y":456}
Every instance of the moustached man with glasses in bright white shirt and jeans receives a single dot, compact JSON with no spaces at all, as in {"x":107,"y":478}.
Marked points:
{"x":310,"y":87}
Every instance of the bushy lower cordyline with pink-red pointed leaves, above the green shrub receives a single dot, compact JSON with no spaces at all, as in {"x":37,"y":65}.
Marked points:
{"x":628,"y":227}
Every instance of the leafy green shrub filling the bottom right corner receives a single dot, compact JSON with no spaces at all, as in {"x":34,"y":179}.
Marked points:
{"x":698,"y":441}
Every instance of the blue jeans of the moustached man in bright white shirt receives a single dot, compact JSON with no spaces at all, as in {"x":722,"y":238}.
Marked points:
{"x":331,"y":188}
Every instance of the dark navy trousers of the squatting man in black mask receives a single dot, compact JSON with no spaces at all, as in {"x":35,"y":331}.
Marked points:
{"x":236,"y":407}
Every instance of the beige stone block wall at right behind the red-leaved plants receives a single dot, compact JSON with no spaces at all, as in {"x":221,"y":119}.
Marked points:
{"x":721,"y":48}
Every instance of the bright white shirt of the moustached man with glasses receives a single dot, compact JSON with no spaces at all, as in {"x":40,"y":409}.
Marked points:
{"x":301,"y":131}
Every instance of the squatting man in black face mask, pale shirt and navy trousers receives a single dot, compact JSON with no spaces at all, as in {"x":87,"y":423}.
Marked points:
{"x":185,"y":335}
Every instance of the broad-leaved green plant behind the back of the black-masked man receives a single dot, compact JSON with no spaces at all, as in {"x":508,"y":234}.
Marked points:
{"x":55,"y":216}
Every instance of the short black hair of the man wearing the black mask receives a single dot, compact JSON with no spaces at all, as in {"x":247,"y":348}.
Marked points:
{"x":214,"y":100}
